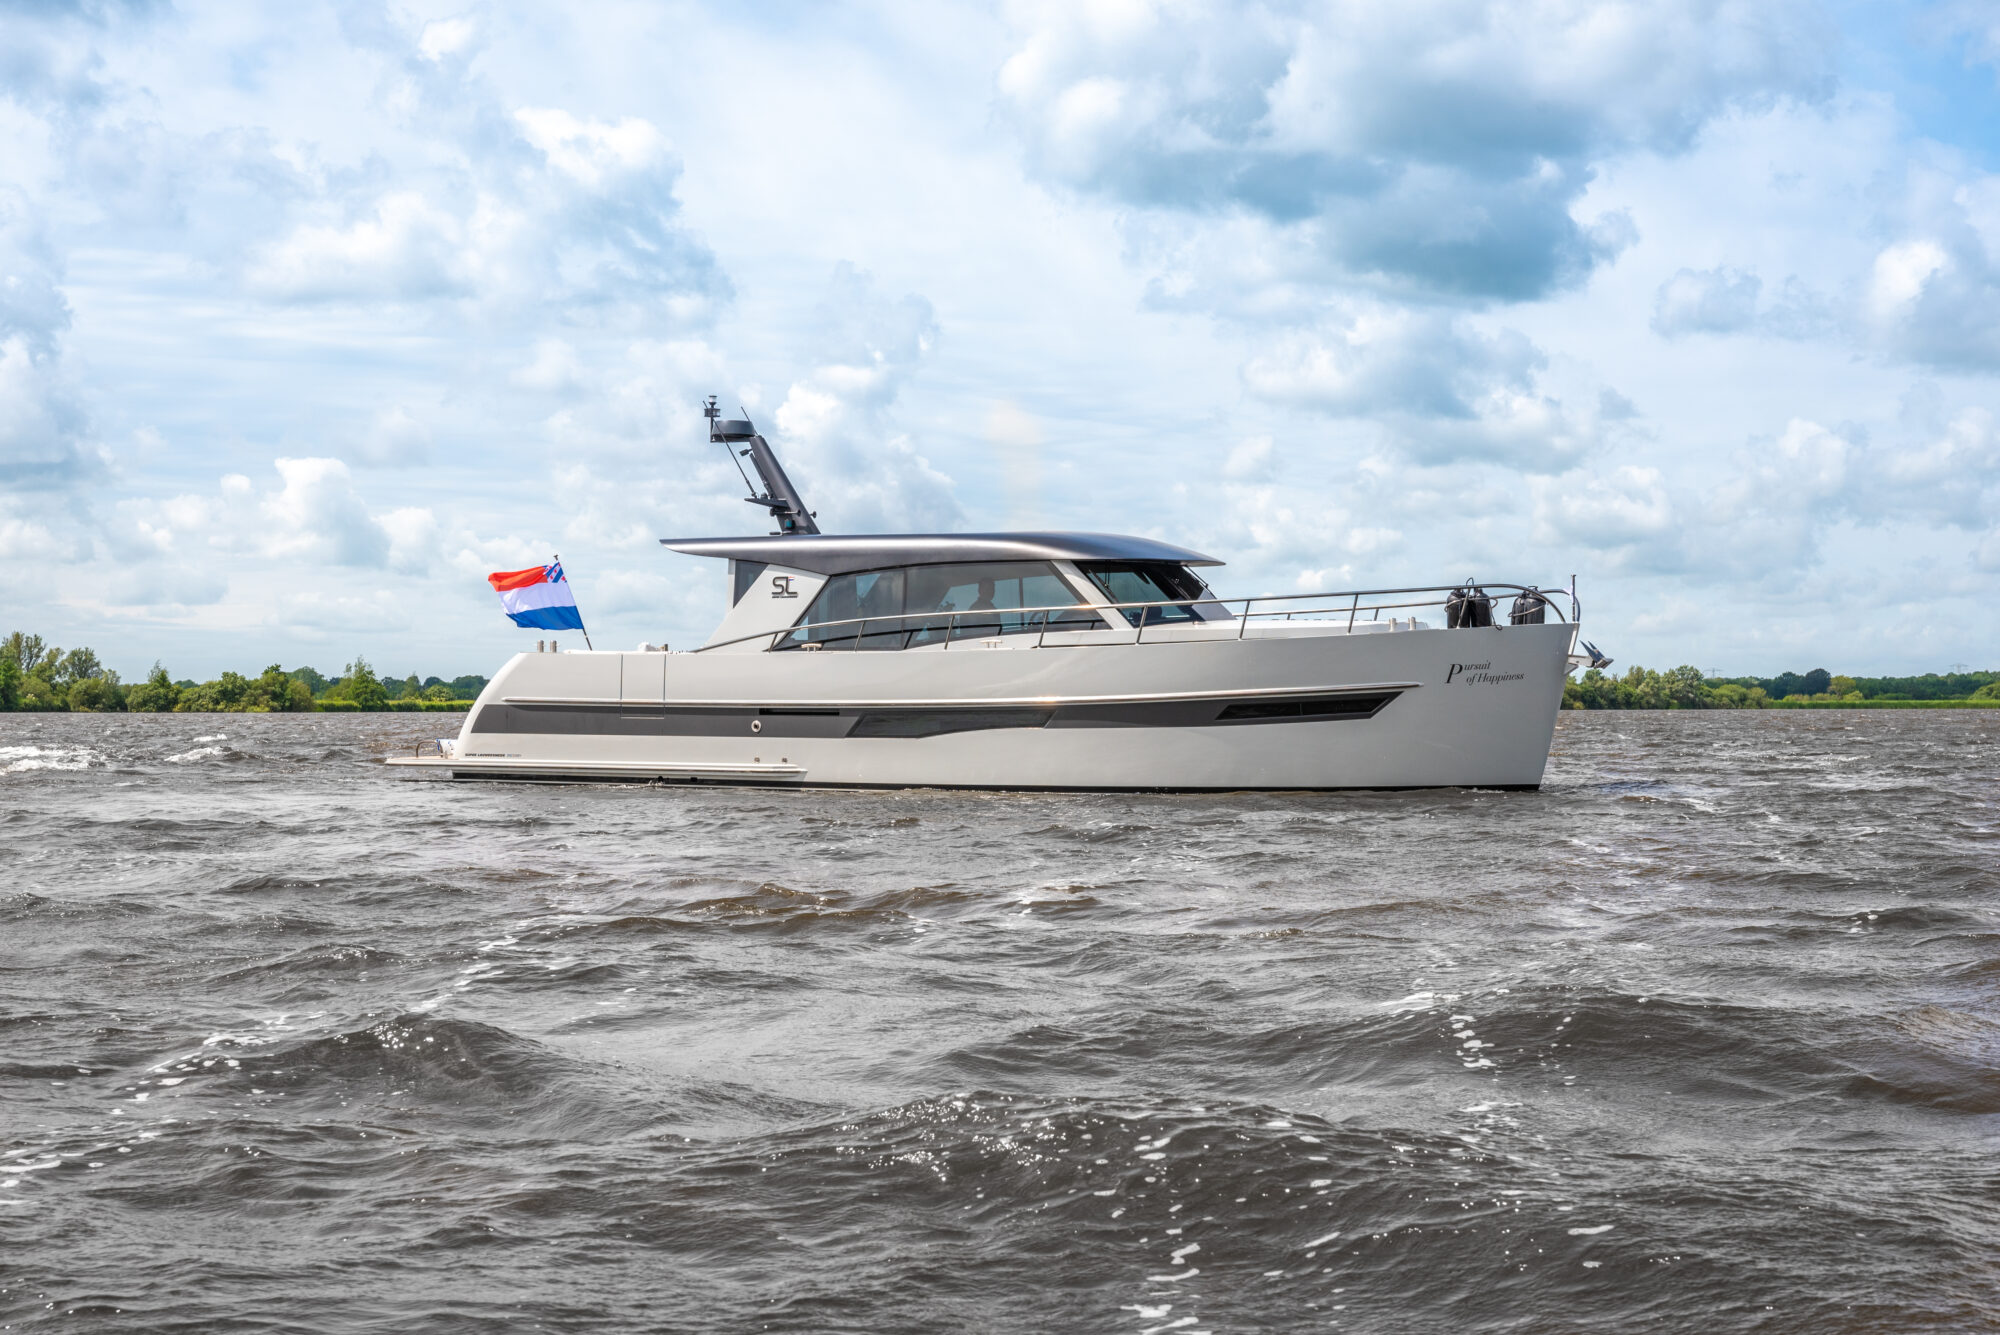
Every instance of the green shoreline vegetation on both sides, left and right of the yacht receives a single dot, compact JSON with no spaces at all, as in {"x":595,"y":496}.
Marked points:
{"x":43,"y":678}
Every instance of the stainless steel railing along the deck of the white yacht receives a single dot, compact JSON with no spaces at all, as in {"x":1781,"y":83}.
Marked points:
{"x":1007,"y":621}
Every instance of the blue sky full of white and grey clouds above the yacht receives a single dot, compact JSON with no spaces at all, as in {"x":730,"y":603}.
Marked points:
{"x":315,"y":315}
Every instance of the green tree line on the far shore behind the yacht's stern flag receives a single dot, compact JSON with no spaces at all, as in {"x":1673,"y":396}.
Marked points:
{"x":41,"y":676}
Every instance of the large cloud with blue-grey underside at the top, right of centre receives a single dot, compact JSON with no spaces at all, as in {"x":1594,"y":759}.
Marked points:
{"x":1435,"y":147}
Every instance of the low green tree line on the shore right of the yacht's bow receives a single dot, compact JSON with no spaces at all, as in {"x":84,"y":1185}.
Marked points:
{"x":1691,"y":688}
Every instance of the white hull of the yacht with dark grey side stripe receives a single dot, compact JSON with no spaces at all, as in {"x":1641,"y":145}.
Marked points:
{"x":1295,"y":706}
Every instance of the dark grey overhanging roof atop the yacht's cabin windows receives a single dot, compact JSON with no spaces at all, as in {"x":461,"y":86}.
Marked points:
{"x":837,"y":555}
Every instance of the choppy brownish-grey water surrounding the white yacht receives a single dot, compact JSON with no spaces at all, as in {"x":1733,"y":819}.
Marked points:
{"x":1703,"y":1036}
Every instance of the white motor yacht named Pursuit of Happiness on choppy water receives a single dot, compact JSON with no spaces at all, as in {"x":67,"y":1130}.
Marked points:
{"x":1041,"y":661}
